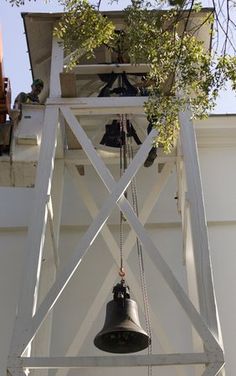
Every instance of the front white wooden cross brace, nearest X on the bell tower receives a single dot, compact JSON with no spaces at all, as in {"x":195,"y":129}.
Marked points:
{"x":116,"y":197}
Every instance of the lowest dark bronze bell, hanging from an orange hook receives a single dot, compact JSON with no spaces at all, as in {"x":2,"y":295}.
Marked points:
{"x":122,"y":332}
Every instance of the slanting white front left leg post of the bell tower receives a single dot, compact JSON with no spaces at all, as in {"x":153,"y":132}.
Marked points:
{"x":37,"y":226}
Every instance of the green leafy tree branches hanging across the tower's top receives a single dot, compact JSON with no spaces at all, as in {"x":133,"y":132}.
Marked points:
{"x":164,"y":34}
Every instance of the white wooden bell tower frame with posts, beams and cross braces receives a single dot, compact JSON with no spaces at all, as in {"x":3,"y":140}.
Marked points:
{"x":44,"y":286}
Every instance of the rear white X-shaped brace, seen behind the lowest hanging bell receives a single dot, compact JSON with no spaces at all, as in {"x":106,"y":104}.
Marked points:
{"x":104,"y":290}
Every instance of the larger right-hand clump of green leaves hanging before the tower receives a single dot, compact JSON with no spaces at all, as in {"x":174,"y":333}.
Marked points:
{"x":179,"y":68}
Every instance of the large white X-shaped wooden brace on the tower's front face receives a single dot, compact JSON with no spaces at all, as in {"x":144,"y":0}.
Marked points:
{"x":200,"y":326}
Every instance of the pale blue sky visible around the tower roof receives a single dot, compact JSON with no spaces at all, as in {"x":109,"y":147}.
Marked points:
{"x":16,"y":58}
